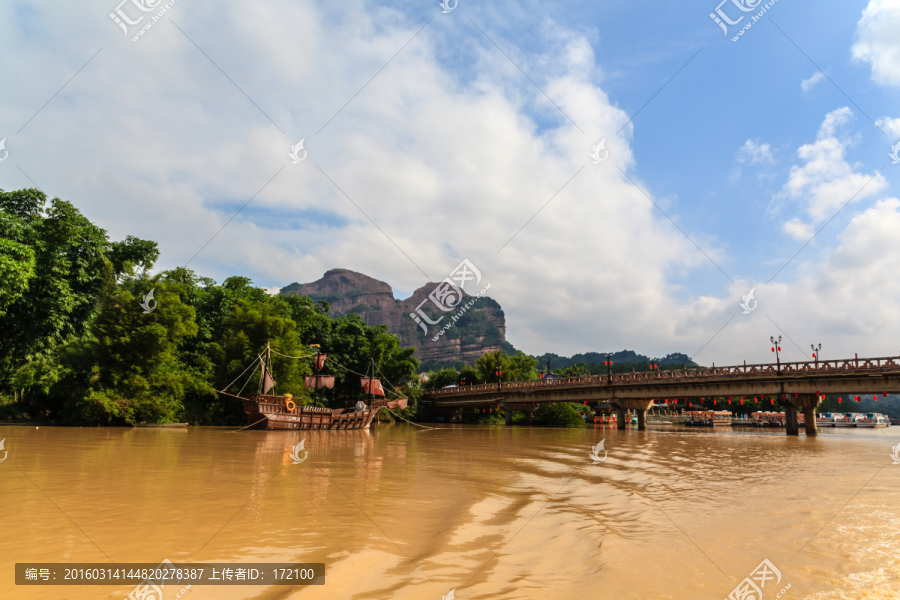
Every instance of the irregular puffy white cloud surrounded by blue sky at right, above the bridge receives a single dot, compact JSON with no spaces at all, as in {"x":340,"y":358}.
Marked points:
{"x":825,"y":182}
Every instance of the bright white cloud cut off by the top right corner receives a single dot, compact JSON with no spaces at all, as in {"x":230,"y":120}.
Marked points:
{"x":878,"y":32}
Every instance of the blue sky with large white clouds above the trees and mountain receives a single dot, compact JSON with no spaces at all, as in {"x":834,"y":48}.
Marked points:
{"x":450,"y":149}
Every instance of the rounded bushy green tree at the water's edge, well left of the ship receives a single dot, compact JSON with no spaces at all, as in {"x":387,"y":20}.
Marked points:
{"x":126,"y":369}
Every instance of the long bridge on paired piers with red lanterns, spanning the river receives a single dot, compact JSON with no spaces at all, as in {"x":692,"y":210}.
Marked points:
{"x":798,"y":385}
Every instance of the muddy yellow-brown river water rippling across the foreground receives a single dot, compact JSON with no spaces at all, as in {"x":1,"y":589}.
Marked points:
{"x":490,"y":512}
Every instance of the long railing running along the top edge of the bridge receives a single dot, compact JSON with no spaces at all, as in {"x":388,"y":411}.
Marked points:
{"x":790,"y":368}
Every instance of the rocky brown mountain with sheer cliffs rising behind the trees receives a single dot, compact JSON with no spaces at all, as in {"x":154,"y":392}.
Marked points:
{"x":481,"y":329}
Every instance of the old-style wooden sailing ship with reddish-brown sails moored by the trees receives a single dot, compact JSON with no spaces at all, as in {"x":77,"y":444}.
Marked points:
{"x":270,"y":411}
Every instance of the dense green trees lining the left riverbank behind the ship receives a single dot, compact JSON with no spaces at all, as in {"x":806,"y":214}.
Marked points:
{"x":78,"y":347}
